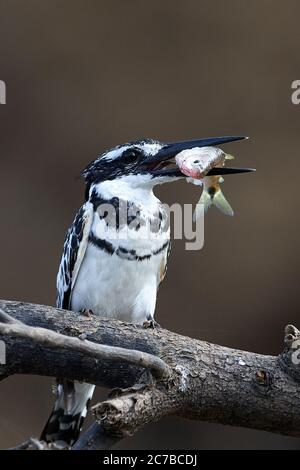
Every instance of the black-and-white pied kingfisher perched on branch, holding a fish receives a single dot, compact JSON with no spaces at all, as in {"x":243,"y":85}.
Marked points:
{"x":112,"y":264}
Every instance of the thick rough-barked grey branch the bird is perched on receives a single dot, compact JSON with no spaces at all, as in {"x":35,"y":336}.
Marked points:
{"x":204,"y":381}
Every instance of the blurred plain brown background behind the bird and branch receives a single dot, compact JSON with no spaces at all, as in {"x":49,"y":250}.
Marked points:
{"x":85,"y":75}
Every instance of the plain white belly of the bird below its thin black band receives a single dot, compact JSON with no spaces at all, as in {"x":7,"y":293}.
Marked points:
{"x":115,"y":287}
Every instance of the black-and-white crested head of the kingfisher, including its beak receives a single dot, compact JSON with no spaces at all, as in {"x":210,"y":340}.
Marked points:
{"x":147,"y":162}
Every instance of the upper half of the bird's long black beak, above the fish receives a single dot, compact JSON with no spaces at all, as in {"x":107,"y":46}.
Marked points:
{"x":170,"y":149}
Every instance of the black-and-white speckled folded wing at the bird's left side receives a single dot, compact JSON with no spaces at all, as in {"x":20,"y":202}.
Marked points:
{"x":75,"y":245}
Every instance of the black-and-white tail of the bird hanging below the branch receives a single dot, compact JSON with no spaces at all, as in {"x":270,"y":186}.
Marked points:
{"x":70,"y":409}
